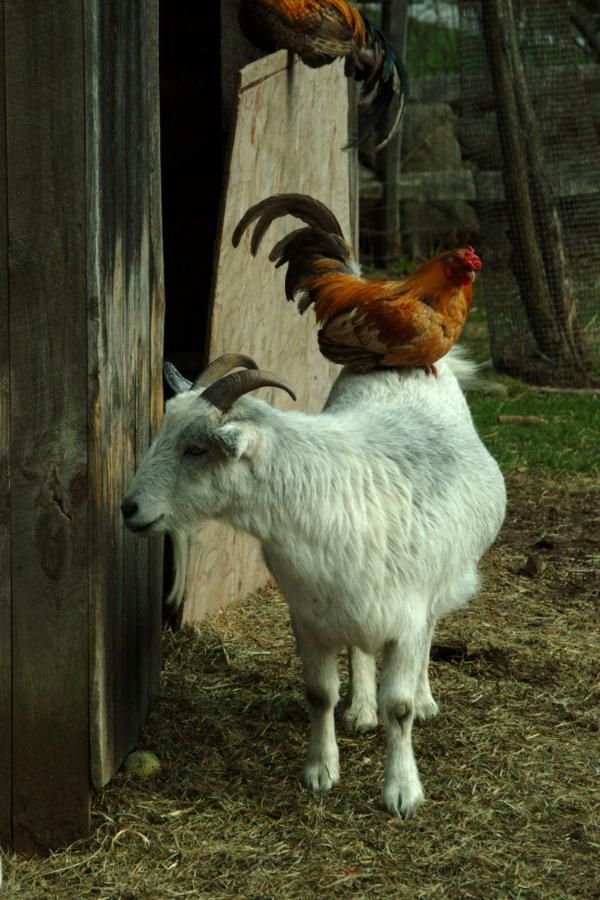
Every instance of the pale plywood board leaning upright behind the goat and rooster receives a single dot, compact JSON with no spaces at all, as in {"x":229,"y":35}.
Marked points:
{"x":290,"y":126}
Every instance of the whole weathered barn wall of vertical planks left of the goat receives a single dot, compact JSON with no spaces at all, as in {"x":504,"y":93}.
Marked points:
{"x":81,"y":309}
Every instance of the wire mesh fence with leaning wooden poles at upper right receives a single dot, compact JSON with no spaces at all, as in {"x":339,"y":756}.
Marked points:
{"x":536,"y":161}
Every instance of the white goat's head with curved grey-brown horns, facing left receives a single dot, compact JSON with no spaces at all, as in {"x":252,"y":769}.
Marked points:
{"x":203,"y":451}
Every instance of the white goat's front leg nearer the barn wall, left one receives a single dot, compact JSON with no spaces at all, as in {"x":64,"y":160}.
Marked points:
{"x":321,"y":681}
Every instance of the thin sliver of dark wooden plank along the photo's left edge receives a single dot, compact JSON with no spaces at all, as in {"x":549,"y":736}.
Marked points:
{"x":5,"y":525}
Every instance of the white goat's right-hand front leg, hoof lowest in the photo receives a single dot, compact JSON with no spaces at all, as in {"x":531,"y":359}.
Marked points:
{"x":402,"y":661}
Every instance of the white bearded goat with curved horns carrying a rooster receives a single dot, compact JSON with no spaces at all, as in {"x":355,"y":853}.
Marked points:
{"x":373,"y":516}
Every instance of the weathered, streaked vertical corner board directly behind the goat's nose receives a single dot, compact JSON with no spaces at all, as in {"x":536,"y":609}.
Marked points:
{"x":125,"y":356}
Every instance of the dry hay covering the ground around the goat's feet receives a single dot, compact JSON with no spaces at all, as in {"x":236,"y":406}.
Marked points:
{"x":510,"y":766}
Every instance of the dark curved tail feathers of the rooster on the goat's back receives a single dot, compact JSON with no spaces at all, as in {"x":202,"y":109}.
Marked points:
{"x":311,"y":253}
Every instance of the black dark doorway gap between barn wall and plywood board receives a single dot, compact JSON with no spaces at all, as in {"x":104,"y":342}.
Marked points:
{"x":193,"y":151}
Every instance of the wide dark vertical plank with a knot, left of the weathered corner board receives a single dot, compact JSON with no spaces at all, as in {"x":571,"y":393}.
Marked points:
{"x":48,"y":338}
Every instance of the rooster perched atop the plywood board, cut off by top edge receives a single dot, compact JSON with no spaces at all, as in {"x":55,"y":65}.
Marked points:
{"x":320,"y":31}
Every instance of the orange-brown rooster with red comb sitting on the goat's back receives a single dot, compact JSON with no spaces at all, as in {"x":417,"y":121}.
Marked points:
{"x":365,"y":324}
